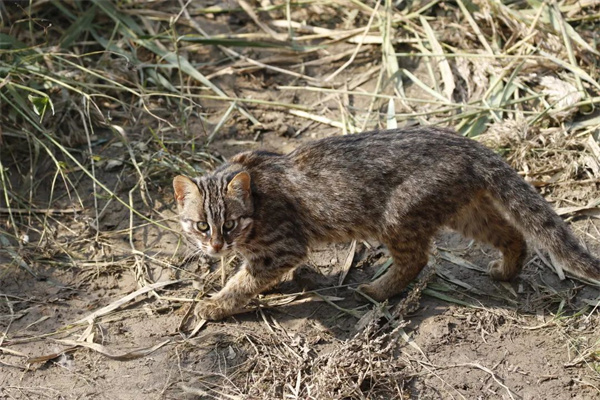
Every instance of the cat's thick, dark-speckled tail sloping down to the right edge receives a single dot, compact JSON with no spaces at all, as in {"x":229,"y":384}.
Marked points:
{"x":536,"y":218}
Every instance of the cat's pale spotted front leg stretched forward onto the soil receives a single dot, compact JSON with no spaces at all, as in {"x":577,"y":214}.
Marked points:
{"x":239,"y":290}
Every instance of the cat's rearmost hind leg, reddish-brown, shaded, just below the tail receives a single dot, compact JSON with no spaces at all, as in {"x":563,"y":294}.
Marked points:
{"x":482,"y":221}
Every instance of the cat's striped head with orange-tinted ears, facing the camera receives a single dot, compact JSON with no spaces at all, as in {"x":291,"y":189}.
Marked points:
{"x":215,"y":210}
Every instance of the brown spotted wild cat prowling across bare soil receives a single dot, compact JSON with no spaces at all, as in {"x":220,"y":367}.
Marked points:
{"x":398,"y":187}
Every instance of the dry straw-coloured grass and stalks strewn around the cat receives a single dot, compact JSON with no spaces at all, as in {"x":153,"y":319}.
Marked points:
{"x":102,"y":102}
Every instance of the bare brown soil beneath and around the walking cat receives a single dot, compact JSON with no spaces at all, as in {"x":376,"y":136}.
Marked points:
{"x":534,"y":338}
